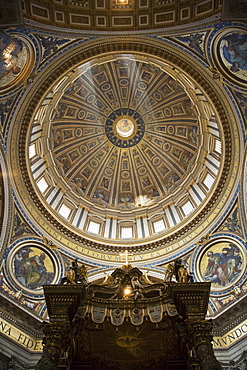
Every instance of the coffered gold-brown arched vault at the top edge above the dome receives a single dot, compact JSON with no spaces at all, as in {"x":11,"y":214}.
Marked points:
{"x":118,"y":15}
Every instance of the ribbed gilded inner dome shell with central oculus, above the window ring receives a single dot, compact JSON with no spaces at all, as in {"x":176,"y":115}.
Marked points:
{"x":125,"y":135}
